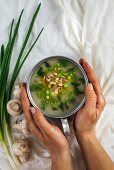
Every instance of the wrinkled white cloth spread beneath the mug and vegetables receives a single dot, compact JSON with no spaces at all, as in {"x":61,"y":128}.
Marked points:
{"x":73,"y":28}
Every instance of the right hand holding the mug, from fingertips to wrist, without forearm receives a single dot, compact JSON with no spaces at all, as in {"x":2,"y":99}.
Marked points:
{"x":88,"y":115}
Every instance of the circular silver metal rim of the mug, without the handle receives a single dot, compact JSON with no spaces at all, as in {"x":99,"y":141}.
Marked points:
{"x":41,"y":62}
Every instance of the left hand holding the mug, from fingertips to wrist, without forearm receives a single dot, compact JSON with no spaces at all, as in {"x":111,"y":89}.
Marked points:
{"x":49,"y":134}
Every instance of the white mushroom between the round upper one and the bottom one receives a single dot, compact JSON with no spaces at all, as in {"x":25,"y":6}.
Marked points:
{"x":22,"y":126}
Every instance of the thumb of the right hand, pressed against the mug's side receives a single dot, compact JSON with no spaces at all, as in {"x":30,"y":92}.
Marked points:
{"x":91,"y":97}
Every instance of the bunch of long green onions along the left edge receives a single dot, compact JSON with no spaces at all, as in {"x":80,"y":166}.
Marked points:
{"x":7,"y":82}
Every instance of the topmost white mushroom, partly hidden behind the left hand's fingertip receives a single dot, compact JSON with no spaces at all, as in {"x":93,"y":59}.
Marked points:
{"x":17,"y":91}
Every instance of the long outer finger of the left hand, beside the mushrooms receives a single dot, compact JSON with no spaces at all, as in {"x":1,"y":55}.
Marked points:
{"x":26,"y":105}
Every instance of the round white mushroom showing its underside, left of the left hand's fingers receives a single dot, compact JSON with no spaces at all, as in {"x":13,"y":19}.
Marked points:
{"x":14,"y":107}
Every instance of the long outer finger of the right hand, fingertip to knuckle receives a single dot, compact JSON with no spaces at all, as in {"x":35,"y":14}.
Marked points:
{"x":93,"y":79}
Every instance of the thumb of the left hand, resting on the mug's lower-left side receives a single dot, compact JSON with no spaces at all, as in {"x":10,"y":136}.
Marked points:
{"x":40,"y":121}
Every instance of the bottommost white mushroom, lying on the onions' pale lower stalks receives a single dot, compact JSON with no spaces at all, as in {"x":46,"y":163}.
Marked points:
{"x":21,"y":148}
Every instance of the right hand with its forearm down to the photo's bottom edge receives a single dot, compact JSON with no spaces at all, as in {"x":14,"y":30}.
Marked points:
{"x":94,"y":155}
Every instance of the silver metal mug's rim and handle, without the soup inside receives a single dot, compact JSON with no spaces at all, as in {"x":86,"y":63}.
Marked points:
{"x":77,"y":107}
